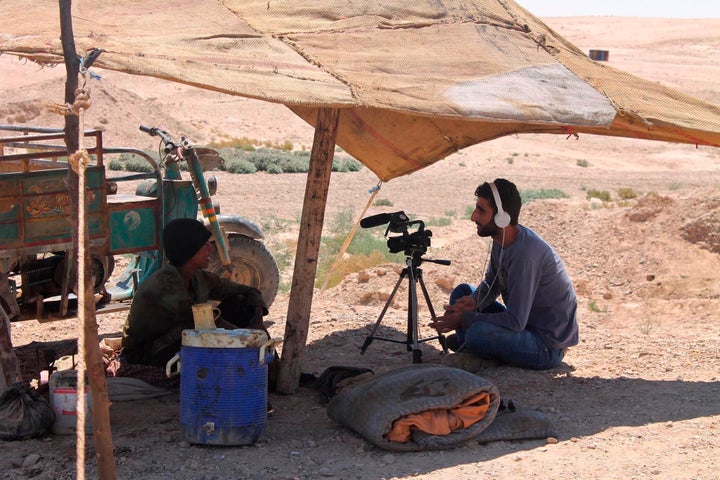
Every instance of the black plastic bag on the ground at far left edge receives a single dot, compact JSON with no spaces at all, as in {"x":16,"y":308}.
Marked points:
{"x":24,"y":413}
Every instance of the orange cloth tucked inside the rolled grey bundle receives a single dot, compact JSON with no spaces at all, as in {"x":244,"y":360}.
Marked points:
{"x":441,"y":421}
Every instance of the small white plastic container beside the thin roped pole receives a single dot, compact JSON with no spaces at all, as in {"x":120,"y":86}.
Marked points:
{"x":63,"y":398}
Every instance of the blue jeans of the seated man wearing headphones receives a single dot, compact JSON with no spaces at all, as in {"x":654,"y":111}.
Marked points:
{"x":523,"y":349}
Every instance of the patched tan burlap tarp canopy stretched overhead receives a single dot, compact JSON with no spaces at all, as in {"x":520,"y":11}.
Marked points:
{"x":414,"y":81}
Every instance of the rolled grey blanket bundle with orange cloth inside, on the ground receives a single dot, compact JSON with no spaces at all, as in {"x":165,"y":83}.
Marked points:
{"x":418,"y":407}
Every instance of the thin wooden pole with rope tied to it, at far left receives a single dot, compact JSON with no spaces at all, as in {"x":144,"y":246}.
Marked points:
{"x":90,"y":343}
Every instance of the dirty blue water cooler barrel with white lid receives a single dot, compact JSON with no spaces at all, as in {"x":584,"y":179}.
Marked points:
{"x":223,"y":386}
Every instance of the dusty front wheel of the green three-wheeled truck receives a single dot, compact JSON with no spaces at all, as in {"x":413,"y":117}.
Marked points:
{"x":250,"y":264}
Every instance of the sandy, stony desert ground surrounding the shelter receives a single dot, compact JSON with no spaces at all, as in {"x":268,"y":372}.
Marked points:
{"x":636,"y":399}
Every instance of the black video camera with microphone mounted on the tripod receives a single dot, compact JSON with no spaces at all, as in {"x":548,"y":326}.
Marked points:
{"x":412,"y":243}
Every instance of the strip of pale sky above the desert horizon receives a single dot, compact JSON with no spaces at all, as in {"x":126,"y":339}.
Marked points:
{"x":623,"y":8}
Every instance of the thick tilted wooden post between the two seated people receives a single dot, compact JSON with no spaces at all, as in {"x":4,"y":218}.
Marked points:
{"x":306,"y":258}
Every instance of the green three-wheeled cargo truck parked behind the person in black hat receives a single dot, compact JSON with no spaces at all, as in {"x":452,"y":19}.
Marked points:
{"x":37,"y":263}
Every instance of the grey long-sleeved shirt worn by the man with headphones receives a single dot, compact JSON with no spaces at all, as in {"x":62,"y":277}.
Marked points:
{"x":535,"y":288}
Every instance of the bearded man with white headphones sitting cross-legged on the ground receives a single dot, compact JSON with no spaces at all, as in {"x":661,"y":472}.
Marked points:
{"x":536,"y":321}
